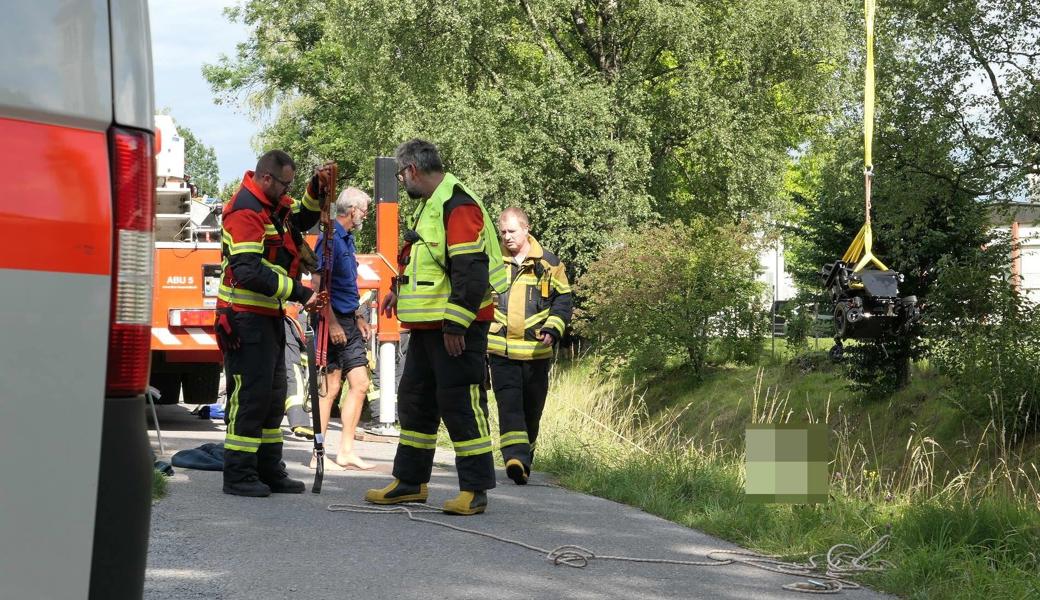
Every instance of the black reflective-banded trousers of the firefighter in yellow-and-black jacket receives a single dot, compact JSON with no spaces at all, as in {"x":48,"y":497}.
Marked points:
{"x":521,"y":390}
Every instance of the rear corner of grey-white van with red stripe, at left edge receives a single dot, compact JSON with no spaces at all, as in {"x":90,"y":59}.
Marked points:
{"x":76,"y":109}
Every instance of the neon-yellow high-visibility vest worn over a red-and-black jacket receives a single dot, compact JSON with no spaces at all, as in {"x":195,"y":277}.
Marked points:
{"x":425,"y":289}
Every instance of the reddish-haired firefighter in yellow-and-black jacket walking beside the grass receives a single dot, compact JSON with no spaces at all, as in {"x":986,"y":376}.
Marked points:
{"x":530,"y":320}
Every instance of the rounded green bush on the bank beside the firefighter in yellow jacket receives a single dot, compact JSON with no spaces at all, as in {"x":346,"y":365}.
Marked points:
{"x":677,"y":291}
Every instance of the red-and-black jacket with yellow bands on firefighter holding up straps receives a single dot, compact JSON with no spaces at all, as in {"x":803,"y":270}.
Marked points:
{"x":261,"y":255}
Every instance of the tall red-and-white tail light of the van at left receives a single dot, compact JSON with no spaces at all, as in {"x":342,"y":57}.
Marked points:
{"x":131,"y":327}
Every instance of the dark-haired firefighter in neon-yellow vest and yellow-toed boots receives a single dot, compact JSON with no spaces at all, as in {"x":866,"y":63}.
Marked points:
{"x":450,"y":266}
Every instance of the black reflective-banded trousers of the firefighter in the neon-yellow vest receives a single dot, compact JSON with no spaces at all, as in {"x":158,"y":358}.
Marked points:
{"x":436,"y":386}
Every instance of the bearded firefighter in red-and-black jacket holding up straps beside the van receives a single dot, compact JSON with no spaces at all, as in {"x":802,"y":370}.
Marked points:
{"x":262,"y":273}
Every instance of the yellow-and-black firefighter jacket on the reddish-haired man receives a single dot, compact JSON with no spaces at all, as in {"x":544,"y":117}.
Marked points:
{"x":538,"y":301}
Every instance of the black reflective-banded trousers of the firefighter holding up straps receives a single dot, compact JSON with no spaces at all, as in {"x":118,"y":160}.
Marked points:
{"x":256,"y":395}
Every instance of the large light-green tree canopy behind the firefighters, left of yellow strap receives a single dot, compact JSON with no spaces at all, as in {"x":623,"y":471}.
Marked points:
{"x":593,"y":116}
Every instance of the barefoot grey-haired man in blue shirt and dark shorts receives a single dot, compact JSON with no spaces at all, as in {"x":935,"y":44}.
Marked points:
{"x":348,"y":328}
